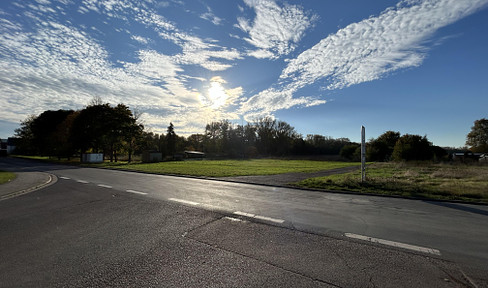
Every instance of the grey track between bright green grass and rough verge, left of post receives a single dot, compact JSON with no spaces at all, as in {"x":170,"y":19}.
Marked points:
{"x":287,"y":178}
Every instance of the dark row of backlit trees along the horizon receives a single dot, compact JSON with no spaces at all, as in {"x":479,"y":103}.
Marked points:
{"x":116,"y":130}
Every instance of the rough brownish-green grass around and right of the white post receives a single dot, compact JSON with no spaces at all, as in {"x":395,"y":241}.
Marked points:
{"x":433,"y":181}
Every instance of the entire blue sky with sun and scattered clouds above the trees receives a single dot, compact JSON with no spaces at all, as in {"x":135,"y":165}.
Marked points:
{"x":325,"y":67}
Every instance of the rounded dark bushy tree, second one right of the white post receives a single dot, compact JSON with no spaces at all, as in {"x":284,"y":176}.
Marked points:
{"x":412,"y":147}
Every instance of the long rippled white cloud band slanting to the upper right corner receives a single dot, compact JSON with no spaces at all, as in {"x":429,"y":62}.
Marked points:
{"x":374,"y":47}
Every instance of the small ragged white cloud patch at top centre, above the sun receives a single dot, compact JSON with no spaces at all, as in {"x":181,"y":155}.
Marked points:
{"x":275,"y":31}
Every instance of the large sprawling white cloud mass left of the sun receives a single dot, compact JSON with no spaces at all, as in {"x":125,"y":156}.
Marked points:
{"x":50,"y":65}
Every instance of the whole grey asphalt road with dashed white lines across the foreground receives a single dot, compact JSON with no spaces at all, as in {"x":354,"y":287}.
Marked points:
{"x":98,"y":227}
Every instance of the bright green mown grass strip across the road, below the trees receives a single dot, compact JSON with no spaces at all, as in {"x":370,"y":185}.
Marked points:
{"x":228,"y":168}
